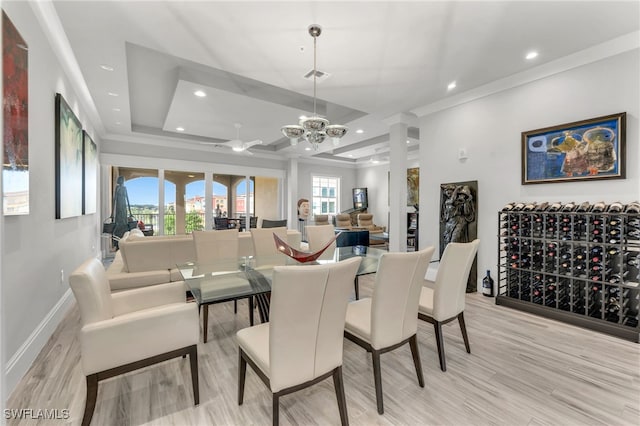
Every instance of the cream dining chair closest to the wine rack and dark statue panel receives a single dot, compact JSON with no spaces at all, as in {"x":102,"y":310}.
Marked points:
{"x":442,"y":301}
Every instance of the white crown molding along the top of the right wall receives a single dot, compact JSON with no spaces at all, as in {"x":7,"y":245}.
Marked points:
{"x":595,"y":53}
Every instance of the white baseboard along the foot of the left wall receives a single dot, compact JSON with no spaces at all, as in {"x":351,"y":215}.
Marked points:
{"x":21,"y":361}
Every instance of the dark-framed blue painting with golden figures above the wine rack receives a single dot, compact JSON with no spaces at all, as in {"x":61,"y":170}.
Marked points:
{"x":584,"y":150}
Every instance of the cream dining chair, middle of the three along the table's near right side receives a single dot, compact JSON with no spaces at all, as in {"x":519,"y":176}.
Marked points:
{"x":389,"y":318}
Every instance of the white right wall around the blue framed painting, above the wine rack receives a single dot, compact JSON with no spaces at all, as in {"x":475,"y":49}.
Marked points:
{"x":490,"y":129}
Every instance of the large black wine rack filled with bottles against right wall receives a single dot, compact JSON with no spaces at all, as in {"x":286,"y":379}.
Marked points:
{"x":577,"y":264}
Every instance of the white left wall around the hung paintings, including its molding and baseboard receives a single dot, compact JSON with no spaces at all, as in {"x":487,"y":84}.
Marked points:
{"x":37,"y":247}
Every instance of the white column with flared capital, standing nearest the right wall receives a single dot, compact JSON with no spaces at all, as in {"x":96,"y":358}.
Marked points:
{"x":398,"y":125}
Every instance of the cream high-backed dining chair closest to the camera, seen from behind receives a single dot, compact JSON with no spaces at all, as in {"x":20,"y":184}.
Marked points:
{"x":302,"y":343}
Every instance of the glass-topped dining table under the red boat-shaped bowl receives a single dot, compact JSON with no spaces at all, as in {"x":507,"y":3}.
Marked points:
{"x":249,"y":277}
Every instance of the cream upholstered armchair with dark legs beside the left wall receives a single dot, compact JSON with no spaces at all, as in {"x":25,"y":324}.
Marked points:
{"x":131,"y":329}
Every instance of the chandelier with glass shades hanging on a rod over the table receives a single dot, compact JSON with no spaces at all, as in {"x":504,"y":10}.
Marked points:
{"x":314,"y":129}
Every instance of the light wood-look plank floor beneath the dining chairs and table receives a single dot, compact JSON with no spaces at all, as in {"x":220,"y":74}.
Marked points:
{"x":522,"y":370}
